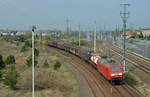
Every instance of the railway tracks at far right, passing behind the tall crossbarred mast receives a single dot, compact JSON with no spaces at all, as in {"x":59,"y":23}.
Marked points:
{"x":142,"y":64}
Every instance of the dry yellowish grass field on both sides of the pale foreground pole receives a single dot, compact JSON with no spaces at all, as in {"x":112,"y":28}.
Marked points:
{"x":48,"y":83}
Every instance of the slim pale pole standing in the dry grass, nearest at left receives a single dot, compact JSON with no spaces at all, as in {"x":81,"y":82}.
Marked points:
{"x":33,"y":28}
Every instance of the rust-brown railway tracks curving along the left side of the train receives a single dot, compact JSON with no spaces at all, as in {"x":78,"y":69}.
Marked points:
{"x":106,"y":89}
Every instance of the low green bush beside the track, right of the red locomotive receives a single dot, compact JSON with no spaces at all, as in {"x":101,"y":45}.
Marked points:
{"x":130,"y":79}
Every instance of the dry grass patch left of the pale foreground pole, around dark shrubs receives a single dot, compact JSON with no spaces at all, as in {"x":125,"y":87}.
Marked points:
{"x":24,"y":83}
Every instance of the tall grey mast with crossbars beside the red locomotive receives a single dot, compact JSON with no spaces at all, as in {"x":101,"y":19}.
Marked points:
{"x":124,"y":16}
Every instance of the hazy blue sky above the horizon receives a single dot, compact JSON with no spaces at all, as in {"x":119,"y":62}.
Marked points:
{"x":51,"y":14}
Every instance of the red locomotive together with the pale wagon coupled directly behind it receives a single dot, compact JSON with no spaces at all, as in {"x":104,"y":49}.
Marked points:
{"x":108,"y":68}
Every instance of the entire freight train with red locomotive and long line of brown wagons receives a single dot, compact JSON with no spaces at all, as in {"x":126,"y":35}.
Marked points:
{"x":108,"y":67}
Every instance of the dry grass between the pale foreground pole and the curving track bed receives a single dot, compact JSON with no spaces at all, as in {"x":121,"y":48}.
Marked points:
{"x":50,"y":83}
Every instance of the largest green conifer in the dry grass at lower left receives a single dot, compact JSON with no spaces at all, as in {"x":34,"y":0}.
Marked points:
{"x":11,"y":77}
